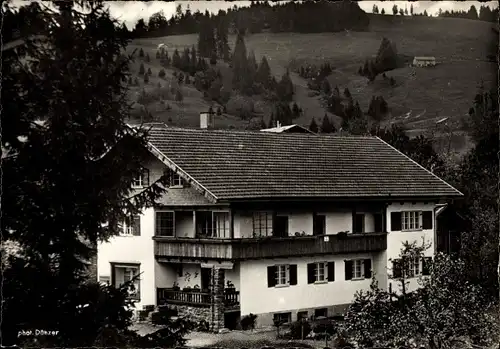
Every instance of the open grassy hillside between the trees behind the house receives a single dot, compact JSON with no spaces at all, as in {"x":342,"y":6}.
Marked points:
{"x":420,"y":97}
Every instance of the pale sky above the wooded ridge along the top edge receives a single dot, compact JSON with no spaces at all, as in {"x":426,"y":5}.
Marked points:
{"x":131,"y":11}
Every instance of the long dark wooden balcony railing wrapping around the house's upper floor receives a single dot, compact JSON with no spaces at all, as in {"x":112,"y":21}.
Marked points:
{"x":269,"y":247}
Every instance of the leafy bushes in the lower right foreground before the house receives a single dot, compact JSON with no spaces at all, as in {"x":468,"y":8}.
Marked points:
{"x":445,"y":309}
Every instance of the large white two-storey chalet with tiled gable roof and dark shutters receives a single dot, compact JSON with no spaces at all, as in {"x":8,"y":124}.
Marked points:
{"x":275,"y":224}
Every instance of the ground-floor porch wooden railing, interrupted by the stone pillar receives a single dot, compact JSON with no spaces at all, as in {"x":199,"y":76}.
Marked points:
{"x":196,"y":298}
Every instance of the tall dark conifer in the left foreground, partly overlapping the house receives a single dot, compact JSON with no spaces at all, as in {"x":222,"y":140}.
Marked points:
{"x":73,"y":167}
